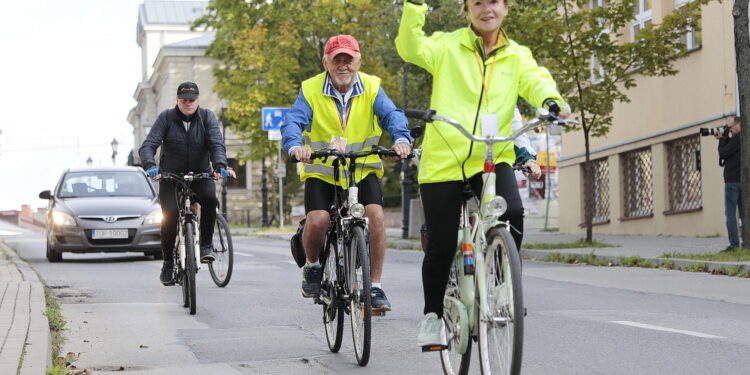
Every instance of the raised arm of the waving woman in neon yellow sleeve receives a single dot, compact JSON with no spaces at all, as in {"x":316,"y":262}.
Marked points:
{"x":411,"y":42}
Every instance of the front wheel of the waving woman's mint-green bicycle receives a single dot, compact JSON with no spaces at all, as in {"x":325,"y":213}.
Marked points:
{"x":501,"y":326}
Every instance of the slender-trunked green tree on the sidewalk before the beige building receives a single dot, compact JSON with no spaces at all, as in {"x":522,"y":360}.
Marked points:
{"x":565,"y":35}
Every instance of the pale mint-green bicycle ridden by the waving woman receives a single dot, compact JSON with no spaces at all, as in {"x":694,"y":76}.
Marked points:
{"x":484,"y":298}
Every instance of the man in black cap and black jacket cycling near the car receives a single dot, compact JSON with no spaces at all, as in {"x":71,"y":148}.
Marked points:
{"x":190,"y":141}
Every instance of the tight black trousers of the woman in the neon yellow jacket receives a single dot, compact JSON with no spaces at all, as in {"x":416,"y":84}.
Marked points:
{"x":442,"y":209}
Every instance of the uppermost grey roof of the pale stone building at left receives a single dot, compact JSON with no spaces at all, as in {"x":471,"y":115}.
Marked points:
{"x":170,"y":12}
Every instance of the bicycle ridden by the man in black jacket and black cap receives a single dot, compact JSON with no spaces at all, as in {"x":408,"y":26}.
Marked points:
{"x":186,"y":258}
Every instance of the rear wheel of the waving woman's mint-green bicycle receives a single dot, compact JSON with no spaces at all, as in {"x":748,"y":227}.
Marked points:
{"x":456,"y":329}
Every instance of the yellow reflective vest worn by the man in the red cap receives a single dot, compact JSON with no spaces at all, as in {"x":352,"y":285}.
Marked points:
{"x":362,"y":130}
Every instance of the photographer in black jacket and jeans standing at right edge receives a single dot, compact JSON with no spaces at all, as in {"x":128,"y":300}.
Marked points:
{"x":729,"y":158}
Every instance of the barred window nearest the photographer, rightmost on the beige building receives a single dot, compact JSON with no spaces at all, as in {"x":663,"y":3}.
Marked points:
{"x":683,"y":163}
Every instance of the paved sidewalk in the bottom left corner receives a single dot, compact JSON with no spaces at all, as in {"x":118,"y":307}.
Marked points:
{"x":24,"y":330}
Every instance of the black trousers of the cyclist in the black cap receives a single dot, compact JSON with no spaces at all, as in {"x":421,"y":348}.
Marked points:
{"x":206,"y":192}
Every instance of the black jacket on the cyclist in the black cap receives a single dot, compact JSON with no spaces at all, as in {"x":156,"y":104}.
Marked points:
{"x":185,"y":151}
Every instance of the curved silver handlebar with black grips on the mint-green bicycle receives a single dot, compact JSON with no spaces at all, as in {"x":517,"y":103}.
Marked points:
{"x":544,"y":117}
